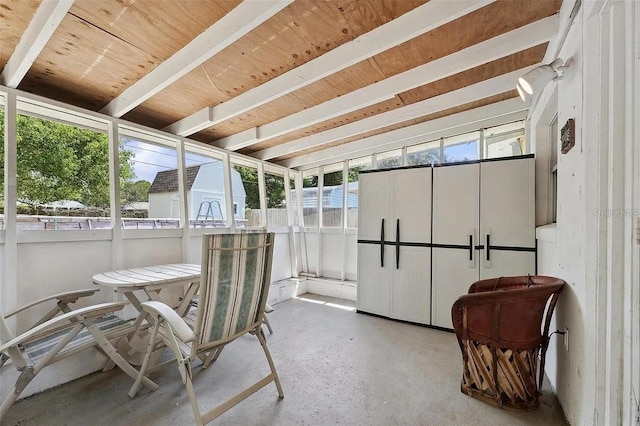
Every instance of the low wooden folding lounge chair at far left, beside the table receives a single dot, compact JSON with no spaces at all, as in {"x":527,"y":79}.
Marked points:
{"x":60,"y":333}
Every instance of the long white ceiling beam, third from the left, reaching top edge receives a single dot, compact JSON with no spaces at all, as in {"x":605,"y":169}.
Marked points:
{"x":422,"y":19}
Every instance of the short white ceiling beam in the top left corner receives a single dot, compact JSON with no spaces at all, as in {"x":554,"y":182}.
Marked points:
{"x":44,"y":23}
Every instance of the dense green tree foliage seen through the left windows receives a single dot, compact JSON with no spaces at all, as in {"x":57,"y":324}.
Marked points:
{"x":61,"y":162}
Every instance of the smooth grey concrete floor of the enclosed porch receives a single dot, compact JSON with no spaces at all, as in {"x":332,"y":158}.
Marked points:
{"x":336,"y":367}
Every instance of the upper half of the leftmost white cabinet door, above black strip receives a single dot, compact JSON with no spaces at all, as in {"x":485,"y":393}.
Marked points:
{"x":374,"y":205}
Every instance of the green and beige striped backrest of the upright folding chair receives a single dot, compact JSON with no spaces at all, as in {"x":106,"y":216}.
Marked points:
{"x":235,"y":268}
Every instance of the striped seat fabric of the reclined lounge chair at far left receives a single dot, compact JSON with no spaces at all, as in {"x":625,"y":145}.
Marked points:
{"x":111,"y":325}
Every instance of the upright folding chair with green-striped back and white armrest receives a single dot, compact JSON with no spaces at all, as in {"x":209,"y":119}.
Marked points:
{"x":235,"y":279}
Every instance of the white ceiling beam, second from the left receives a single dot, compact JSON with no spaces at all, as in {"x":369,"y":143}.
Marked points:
{"x":235,"y":24}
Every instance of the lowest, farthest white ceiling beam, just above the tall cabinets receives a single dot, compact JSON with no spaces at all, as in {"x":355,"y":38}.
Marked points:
{"x":462,"y":122}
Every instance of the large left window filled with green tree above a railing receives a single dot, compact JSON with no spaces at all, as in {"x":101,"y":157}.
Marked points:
{"x":62,"y":175}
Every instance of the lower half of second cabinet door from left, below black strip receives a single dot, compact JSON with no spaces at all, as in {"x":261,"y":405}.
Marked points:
{"x":410,"y":292}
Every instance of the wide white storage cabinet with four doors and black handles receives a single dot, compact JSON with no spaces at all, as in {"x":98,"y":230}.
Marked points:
{"x":418,"y":253}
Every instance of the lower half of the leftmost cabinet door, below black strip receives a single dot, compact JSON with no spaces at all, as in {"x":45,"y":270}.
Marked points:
{"x":374,"y":280}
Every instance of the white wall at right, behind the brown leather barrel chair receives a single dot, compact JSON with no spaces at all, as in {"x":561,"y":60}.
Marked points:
{"x":589,"y":247}
